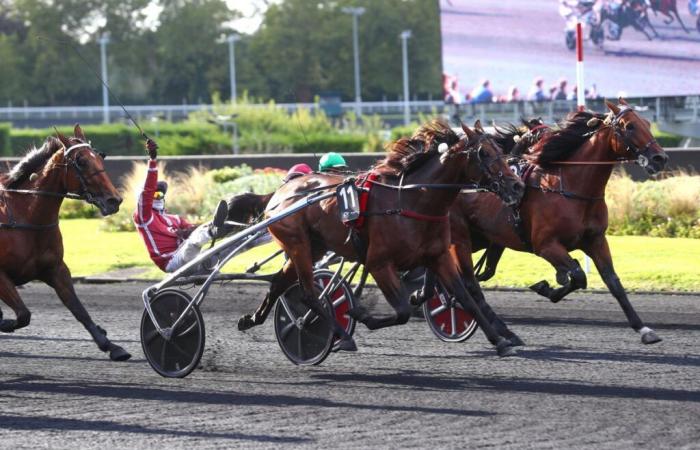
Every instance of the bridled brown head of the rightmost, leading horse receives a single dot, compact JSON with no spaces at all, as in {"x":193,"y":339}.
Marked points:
{"x":632,"y":137}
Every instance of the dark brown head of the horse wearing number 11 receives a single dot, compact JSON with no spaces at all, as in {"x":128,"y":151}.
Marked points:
{"x":486,"y":164}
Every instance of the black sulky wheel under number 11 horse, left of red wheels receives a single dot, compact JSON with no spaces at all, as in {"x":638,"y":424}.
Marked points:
{"x":305,"y":338}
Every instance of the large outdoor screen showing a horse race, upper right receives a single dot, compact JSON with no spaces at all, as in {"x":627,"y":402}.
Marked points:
{"x":510,"y":50}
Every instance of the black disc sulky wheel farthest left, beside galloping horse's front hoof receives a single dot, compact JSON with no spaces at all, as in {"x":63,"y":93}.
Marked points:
{"x":179,"y":355}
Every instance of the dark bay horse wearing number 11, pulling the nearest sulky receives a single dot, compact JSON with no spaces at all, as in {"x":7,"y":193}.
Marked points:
{"x":406,"y":225}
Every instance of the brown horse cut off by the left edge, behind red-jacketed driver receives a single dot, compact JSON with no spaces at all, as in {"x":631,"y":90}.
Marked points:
{"x":32,"y":248}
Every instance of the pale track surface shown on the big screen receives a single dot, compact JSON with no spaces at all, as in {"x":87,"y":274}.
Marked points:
{"x":510,"y":42}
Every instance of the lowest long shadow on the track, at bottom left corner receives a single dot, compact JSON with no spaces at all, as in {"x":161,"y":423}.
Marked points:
{"x":47,"y":423}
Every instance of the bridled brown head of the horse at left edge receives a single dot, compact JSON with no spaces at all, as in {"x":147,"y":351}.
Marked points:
{"x":85,"y":173}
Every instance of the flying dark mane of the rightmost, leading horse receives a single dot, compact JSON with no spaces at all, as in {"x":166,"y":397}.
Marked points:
{"x":571,"y":134}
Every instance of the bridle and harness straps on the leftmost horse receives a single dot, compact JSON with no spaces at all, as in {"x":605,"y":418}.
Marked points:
{"x":82,"y":194}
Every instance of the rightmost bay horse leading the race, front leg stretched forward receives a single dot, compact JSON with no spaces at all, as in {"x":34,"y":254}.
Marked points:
{"x":564,"y":206}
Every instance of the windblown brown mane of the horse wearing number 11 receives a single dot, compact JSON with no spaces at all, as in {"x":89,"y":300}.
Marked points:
{"x":407,"y":154}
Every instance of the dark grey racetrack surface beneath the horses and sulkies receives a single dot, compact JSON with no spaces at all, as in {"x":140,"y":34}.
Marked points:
{"x":584,"y":381}
